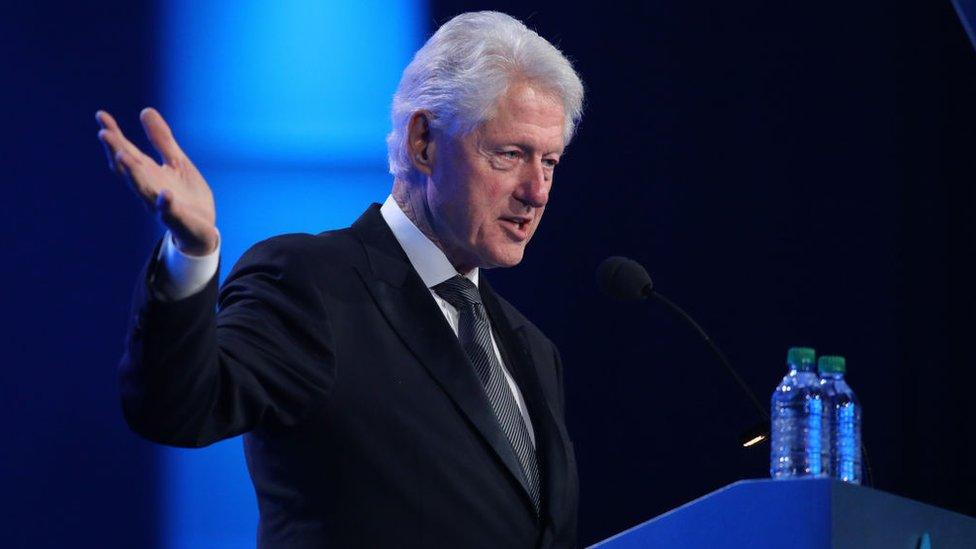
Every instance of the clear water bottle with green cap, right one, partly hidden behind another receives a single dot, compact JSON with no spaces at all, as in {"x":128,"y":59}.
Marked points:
{"x":845,"y":420}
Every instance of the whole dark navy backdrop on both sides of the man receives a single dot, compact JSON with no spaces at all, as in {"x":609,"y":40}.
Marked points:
{"x":790,"y":174}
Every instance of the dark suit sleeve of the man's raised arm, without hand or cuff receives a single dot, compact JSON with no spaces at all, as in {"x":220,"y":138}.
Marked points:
{"x":191,"y":376}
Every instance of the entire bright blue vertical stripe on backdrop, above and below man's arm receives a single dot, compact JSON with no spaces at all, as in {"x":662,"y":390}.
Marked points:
{"x":284,"y":107}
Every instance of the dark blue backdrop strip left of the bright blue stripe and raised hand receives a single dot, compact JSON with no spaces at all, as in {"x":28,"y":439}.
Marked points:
{"x":72,"y":474}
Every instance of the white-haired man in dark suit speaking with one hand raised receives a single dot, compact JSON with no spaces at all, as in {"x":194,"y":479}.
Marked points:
{"x":387,"y":396}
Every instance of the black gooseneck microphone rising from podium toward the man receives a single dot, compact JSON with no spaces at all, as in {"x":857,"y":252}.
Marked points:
{"x":627,"y":280}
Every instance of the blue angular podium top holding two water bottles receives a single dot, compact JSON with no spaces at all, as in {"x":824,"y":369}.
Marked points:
{"x":800,"y":514}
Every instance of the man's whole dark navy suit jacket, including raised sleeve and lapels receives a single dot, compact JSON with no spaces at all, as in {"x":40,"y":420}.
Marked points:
{"x":363,"y":423}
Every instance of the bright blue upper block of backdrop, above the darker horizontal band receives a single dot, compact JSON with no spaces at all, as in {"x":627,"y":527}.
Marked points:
{"x":291,"y":80}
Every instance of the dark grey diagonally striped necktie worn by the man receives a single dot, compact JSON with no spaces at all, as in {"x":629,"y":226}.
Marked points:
{"x":474,"y":332}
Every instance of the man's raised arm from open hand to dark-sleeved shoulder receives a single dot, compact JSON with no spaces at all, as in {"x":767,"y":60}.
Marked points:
{"x":189,"y":376}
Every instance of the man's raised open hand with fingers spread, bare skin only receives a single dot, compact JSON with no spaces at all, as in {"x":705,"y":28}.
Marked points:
{"x":175,"y":190}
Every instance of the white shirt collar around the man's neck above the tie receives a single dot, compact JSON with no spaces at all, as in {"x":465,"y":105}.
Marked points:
{"x":427,"y":259}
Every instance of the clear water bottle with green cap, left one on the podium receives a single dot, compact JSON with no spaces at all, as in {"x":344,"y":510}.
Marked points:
{"x":800,"y":426}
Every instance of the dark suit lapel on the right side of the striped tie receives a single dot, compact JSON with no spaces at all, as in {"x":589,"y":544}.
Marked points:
{"x":551,"y":447}
